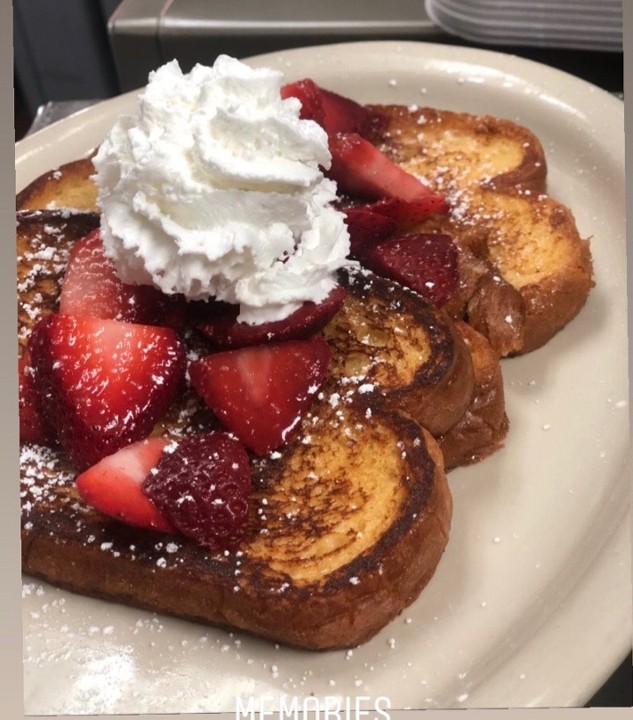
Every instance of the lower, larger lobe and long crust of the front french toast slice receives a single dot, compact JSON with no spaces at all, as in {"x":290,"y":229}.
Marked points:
{"x":328,"y":559}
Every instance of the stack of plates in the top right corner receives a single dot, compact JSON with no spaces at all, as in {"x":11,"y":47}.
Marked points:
{"x":577,"y":24}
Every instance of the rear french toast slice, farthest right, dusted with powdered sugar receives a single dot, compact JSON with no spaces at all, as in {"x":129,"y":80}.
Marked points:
{"x":526,"y":270}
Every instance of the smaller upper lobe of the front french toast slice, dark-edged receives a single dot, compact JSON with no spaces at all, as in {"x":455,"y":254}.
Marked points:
{"x":406,"y":347}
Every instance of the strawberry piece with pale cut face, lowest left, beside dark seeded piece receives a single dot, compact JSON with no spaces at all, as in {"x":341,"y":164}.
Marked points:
{"x":114,"y":485}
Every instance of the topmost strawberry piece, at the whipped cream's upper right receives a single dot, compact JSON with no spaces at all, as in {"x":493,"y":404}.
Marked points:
{"x":335,"y":113}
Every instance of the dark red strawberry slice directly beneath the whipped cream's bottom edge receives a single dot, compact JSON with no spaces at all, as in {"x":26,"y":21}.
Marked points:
{"x":223,"y":329}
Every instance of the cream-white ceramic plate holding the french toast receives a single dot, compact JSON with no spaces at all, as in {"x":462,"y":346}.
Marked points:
{"x":531,"y":605}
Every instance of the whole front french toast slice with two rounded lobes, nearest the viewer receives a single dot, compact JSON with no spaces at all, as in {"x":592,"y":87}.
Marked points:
{"x":348,"y":520}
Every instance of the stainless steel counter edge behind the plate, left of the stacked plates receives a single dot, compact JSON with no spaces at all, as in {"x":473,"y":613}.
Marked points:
{"x":147,"y":33}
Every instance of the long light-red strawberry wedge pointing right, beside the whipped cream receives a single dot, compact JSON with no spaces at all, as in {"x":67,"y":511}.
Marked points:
{"x":361,"y":170}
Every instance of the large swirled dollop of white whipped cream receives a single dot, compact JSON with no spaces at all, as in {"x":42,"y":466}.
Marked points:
{"x":214,"y":189}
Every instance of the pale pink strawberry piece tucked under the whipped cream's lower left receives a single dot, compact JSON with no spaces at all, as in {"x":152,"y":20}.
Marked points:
{"x":92,"y":287}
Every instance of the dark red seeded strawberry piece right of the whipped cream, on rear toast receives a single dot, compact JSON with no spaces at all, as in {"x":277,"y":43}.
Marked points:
{"x":426,"y":263}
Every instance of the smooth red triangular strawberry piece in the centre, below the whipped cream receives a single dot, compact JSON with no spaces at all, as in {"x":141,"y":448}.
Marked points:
{"x":260,"y":392}
